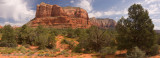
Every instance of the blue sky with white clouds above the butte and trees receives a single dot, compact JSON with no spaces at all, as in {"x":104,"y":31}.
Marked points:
{"x":19,"y":12}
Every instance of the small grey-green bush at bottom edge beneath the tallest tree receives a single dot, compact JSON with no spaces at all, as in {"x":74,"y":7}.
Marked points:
{"x":136,"y":53}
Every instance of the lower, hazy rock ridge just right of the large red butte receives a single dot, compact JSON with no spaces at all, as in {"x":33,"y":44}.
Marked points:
{"x":103,"y":23}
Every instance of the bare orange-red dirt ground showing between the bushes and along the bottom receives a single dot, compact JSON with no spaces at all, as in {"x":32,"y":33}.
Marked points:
{"x":63,"y":47}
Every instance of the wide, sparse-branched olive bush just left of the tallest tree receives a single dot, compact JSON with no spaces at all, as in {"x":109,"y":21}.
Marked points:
{"x":95,"y":39}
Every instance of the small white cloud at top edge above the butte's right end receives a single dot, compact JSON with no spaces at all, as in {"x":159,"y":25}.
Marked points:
{"x":85,"y":4}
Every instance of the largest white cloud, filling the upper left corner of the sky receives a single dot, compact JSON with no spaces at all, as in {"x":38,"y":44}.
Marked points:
{"x":16,"y":10}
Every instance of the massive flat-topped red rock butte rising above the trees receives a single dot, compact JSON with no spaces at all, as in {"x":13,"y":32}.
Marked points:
{"x":60,"y":17}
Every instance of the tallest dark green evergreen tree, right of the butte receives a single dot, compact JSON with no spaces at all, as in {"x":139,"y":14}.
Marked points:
{"x":136,"y":30}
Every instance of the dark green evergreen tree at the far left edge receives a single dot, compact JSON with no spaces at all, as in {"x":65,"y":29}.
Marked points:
{"x":8,"y":37}
